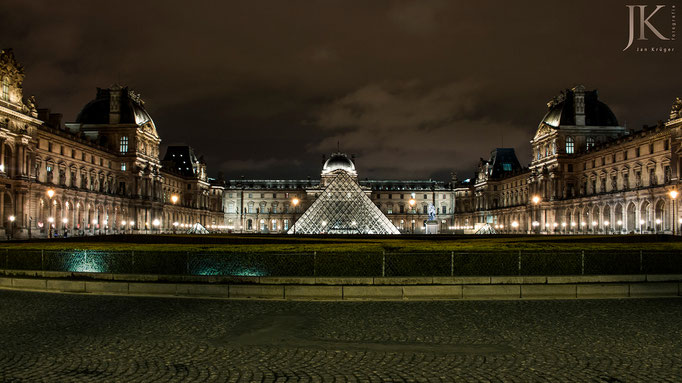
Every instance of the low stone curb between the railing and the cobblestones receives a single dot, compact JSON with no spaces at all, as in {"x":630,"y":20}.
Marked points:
{"x":504,"y":289}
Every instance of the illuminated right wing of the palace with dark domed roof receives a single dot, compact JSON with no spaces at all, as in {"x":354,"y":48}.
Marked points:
{"x":588,"y":174}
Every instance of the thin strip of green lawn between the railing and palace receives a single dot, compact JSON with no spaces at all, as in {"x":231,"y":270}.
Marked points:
{"x":353,"y":244}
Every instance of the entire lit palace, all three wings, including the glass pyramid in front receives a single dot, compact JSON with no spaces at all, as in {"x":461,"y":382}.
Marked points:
{"x":104,"y":174}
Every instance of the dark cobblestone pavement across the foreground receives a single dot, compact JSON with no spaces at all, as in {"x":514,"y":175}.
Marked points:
{"x":63,"y":338}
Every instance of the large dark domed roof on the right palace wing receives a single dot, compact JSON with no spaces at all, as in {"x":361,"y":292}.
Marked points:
{"x":561,"y":110}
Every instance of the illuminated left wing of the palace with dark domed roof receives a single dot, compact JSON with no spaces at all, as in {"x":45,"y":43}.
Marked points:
{"x":101,"y":174}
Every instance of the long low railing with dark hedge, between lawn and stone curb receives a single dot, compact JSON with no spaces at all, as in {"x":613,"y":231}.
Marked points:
{"x":346,"y":264}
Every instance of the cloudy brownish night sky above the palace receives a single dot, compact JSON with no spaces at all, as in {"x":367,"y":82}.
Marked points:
{"x":414,"y":89}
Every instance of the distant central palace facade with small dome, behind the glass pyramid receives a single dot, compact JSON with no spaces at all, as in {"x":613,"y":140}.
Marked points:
{"x":272,"y":206}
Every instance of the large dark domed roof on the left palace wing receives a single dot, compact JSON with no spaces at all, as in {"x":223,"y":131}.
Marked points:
{"x":131,"y":108}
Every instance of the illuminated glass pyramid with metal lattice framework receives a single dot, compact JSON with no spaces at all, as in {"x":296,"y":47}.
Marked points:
{"x":343,"y":208}
